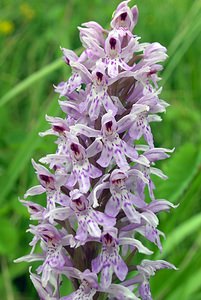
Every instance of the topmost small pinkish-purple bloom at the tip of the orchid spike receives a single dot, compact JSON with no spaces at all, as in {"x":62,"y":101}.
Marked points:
{"x":124,"y":16}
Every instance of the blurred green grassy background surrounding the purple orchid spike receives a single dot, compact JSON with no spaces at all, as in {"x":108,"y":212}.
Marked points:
{"x":31,"y":33}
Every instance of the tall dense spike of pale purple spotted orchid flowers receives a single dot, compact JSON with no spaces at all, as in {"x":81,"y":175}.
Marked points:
{"x":96,"y":181}
